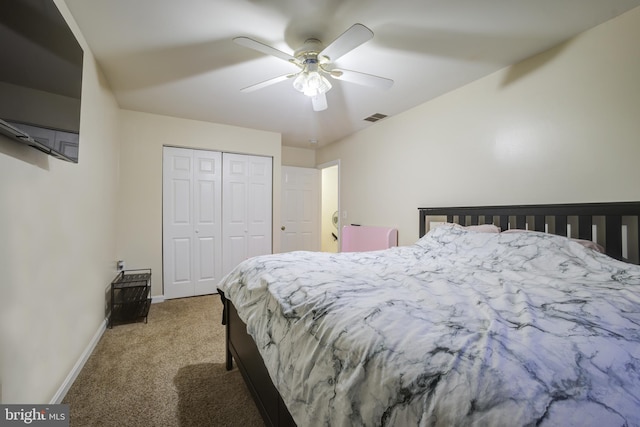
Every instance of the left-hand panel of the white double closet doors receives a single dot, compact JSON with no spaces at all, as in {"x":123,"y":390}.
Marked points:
{"x":191,"y":212}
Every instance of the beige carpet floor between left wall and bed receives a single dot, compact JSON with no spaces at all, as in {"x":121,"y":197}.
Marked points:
{"x":168,"y":372}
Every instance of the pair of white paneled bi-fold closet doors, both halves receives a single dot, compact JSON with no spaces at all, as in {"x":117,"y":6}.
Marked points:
{"x":216,"y":213}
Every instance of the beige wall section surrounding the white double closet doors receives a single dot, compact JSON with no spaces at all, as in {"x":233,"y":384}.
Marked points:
{"x":140,"y":193}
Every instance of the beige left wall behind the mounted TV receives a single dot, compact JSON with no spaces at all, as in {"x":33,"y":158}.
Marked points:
{"x":57,"y":247}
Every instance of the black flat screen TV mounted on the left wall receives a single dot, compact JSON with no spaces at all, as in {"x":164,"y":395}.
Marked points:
{"x":40,"y":78}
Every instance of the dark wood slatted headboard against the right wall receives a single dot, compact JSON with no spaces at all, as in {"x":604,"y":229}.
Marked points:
{"x":615,"y":226}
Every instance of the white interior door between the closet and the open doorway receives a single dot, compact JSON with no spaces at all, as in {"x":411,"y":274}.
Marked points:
{"x":300,"y":209}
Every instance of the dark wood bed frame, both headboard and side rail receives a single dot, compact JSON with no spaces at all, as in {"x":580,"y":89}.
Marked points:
{"x":553,"y":218}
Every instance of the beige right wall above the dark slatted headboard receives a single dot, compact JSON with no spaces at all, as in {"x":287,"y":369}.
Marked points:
{"x":562,"y":126}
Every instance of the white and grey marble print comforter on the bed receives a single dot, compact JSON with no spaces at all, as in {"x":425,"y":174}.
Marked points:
{"x":461,"y":328}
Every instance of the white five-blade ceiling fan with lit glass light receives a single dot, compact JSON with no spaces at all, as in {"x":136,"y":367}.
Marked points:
{"x":317,"y":62}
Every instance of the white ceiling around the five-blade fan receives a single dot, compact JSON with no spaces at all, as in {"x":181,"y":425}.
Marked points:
{"x":177,"y":57}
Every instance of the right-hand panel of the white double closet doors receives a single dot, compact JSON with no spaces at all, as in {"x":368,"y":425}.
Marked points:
{"x":247,"y":208}
